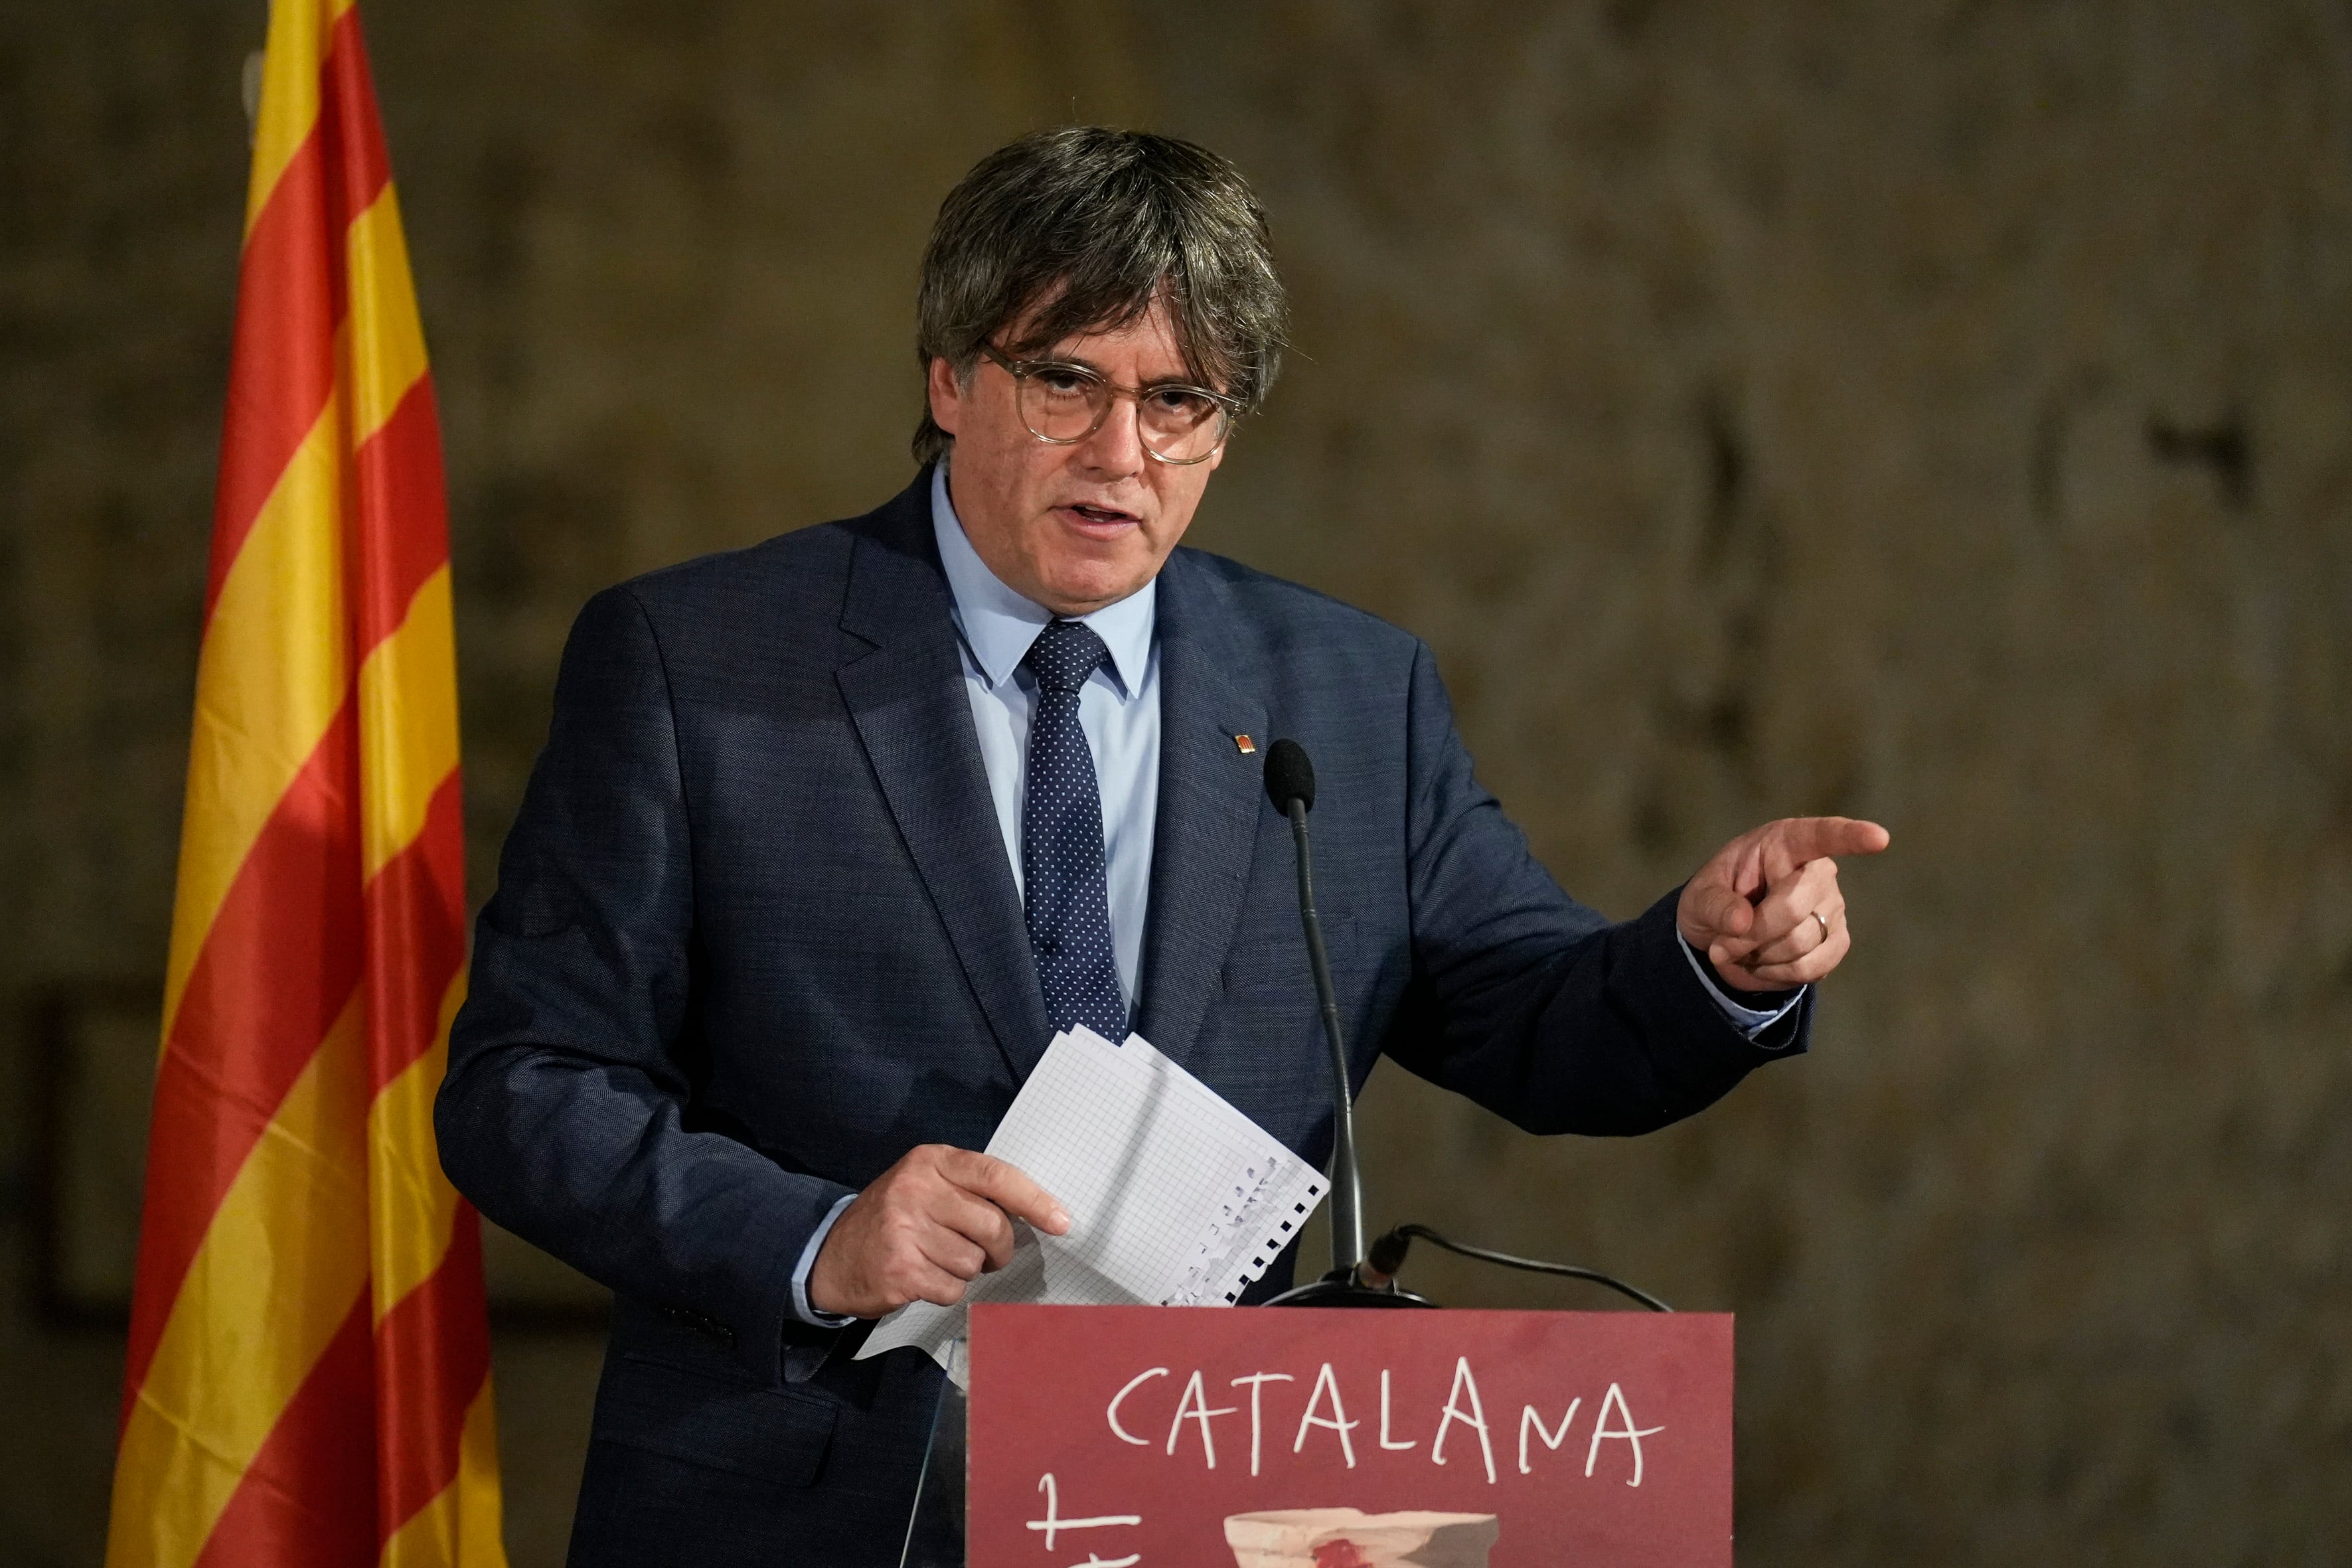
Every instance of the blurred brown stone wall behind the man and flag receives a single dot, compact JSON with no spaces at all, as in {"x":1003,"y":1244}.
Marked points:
{"x":1937,"y":413}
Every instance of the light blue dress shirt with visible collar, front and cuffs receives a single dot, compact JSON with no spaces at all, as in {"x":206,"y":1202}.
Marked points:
{"x":1121,"y":713}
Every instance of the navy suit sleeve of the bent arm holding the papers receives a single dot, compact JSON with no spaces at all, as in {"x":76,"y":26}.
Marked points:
{"x":566,"y":1113}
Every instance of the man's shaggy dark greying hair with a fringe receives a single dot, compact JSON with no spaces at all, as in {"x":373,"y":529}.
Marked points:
{"x":1083,"y":229}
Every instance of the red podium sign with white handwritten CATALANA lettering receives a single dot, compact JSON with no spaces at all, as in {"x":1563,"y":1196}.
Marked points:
{"x":1156,"y":1438}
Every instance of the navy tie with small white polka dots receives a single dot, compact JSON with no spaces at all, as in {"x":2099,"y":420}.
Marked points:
{"x":1062,"y":843}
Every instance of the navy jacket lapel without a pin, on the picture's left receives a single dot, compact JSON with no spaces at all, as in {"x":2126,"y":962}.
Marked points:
{"x":907,"y":699}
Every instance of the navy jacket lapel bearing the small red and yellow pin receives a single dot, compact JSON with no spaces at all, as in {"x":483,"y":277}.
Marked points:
{"x":1210,"y":796}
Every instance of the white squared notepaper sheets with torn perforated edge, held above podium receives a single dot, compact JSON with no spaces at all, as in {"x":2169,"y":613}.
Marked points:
{"x":1177,"y":1198}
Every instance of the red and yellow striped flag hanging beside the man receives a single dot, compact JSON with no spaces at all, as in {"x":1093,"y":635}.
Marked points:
{"x":309,"y":1355}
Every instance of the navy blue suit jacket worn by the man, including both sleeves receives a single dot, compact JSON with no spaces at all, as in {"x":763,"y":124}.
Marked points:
{"x":756,"y":937}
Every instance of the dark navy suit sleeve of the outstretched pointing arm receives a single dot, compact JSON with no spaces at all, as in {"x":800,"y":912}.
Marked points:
{"x":1525,"y":1000}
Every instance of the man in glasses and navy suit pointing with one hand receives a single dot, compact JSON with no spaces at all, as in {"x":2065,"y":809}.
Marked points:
{"x":834,"y":833}
